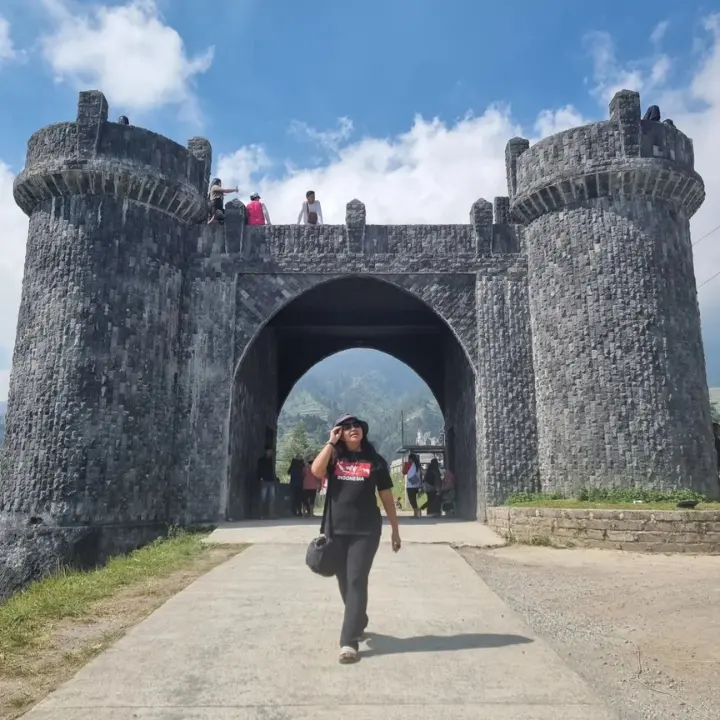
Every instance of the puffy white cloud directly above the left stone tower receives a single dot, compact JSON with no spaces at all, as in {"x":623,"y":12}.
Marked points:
{"x":128,"y":51}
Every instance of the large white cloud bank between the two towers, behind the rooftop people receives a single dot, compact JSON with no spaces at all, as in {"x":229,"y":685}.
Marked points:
{"x":431,"y":174}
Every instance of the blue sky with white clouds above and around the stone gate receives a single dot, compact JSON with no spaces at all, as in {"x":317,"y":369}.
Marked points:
{"x":406,"y":104}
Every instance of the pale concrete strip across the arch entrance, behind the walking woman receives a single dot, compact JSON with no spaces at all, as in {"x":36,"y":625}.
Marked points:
{"x":459,"y":533}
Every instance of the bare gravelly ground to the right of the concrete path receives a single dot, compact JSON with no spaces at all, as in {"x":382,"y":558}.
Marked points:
{"x":642,"y":630}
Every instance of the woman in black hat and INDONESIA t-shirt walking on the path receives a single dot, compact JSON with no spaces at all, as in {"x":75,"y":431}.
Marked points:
{"x":355,"y":472}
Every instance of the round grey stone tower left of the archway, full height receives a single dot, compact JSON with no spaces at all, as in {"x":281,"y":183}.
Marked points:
{"x":89,"y":436}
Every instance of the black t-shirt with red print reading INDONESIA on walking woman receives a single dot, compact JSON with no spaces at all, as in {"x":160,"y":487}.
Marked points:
{"x":352,"y":483}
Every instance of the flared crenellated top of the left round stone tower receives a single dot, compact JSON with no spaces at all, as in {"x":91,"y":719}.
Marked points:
{"x":92,"y":156}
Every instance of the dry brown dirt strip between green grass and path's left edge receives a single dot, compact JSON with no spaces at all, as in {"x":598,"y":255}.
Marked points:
{"x":71,"y":644}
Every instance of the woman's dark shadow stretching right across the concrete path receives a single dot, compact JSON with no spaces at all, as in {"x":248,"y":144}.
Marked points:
{"x":389,"y":645}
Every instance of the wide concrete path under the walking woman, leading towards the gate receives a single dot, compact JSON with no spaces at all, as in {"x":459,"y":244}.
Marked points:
{"x":256,"y":639}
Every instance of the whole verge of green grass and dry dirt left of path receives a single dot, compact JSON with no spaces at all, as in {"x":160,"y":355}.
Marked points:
{"x":56,"y":625}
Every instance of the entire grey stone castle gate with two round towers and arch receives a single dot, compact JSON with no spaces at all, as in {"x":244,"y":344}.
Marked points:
{"x":559,"y":331}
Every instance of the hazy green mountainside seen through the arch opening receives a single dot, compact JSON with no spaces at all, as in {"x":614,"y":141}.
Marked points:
{"x":367,"y":383}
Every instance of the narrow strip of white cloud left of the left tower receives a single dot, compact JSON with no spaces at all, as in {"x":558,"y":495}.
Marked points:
{"x":12,"y":259}
